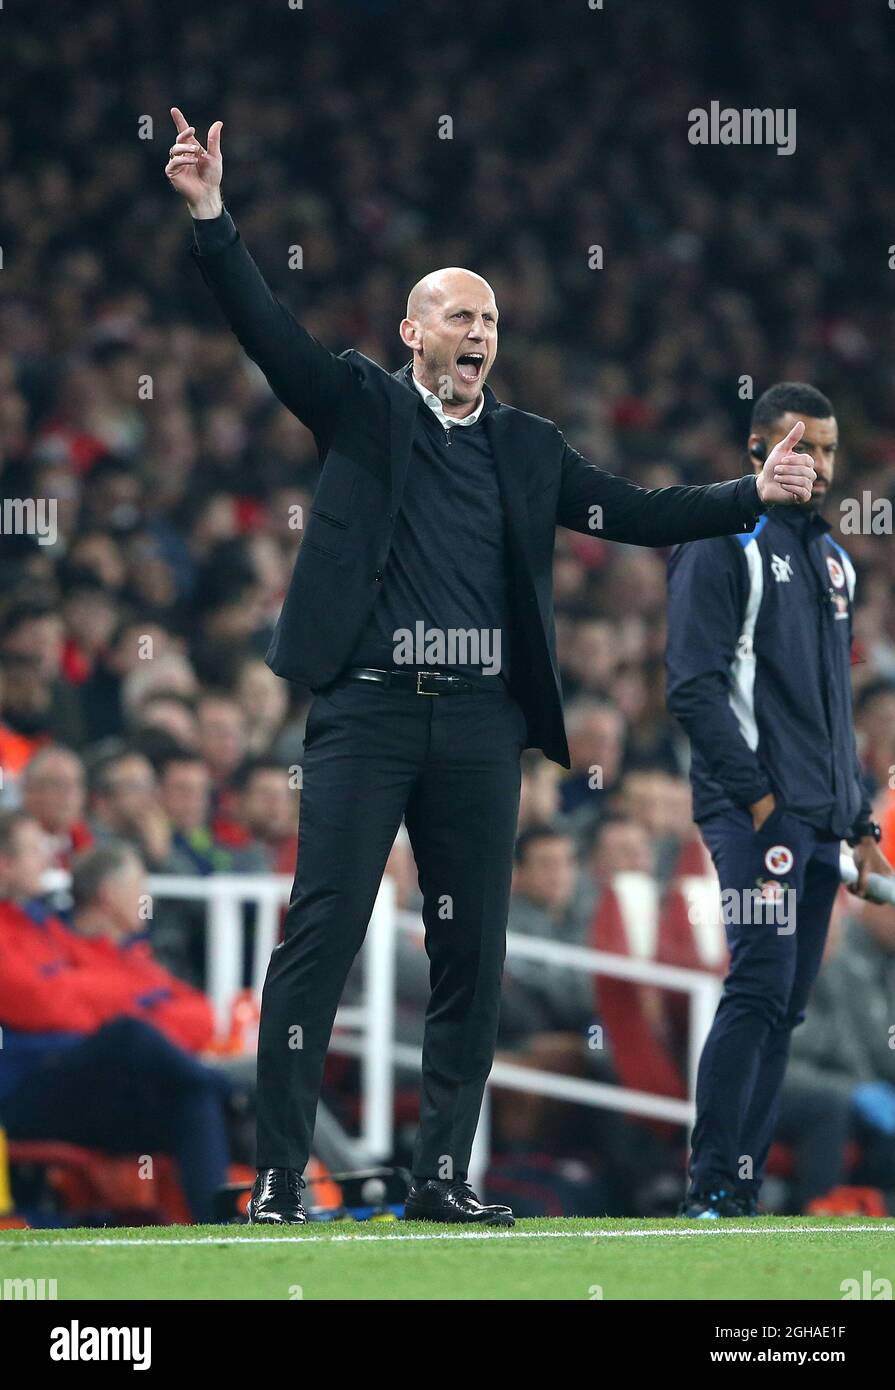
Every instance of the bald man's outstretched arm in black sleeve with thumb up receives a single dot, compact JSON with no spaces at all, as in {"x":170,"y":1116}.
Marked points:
{"x":601,"y":504}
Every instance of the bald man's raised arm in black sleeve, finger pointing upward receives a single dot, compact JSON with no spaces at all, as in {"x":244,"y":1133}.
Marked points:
{"x":309,"y":380}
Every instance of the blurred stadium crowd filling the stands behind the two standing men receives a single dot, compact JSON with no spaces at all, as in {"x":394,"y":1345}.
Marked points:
{"x":140,"y":726}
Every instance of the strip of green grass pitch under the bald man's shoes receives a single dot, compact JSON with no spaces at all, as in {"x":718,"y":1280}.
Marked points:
{"x":768,"y":1259}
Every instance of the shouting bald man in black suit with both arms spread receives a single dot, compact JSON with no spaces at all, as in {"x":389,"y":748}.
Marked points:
{"x":420,"y":615}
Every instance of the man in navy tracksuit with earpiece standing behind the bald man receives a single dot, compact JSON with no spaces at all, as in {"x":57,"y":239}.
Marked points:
{"x":759,"y":654}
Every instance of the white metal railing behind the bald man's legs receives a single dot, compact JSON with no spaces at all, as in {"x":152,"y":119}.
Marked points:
{"x":368,"y":1031}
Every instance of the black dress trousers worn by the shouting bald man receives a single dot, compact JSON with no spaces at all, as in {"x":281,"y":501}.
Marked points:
{"x":451,"y":767}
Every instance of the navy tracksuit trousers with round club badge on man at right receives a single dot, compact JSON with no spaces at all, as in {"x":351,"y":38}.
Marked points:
{"x":776,"y":956}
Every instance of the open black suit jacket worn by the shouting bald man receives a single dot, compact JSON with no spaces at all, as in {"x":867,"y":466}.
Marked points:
{"x":363,"y":420}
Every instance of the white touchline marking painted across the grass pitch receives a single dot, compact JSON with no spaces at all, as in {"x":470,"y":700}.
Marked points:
{"x":461,"y":1235}
